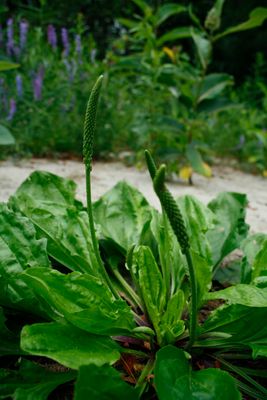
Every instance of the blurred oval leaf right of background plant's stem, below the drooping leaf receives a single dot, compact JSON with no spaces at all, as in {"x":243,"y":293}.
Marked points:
{"x":213,"y":85}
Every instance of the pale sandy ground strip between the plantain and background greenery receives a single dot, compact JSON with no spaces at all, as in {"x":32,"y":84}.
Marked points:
{"x":106,"y":175}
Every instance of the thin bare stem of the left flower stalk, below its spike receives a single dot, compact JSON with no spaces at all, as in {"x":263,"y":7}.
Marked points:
{"x":102,"y":269}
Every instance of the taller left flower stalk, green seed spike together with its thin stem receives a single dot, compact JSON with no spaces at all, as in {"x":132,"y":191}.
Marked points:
{"x":88,"y":142}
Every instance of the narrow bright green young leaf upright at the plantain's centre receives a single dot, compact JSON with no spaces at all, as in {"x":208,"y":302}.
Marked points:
{"x":151,"y":285}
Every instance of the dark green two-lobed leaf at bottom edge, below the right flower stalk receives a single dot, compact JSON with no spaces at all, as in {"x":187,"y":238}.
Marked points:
{"x":175,"y":380}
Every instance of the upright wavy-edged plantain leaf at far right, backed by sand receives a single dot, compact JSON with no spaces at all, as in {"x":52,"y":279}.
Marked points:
{"x":230,"y":228}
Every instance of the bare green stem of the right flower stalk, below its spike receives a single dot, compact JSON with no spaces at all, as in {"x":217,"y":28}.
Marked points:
{"x":193,"y":311}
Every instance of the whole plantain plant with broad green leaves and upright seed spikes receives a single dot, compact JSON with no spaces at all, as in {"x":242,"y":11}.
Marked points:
{"x":118,"y":299}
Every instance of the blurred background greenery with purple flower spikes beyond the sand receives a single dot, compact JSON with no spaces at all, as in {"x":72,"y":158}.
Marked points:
{"x":187,"y":79}
